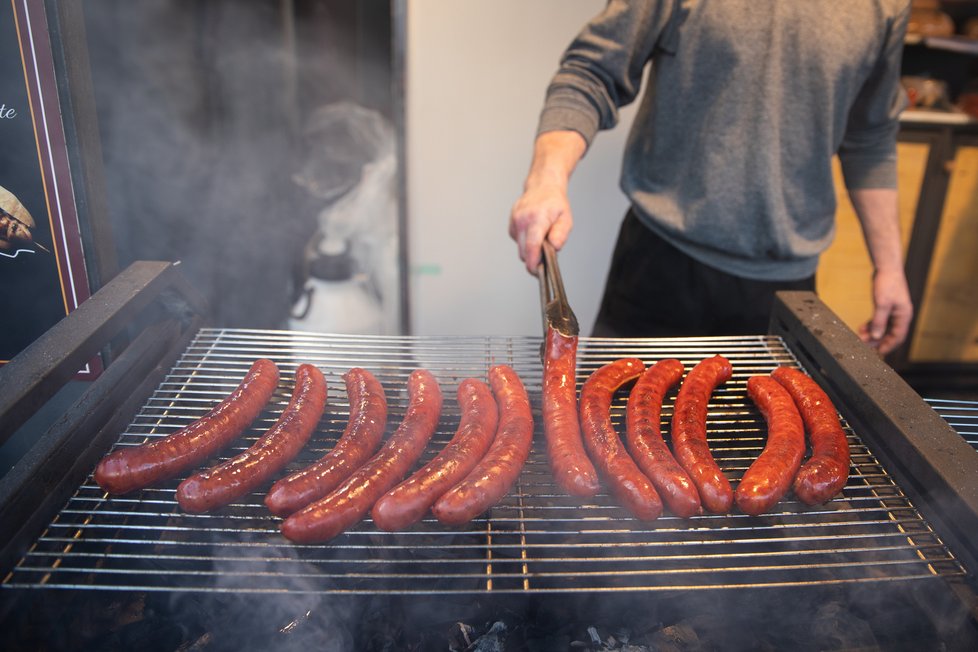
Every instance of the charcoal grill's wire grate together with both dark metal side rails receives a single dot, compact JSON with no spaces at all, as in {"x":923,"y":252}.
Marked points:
{"x":903,"y":518}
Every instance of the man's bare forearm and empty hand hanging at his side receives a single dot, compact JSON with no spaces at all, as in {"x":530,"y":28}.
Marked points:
{"x":878,"y":214}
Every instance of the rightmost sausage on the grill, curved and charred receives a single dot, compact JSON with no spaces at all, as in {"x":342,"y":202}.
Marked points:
{"x":827,"y":470}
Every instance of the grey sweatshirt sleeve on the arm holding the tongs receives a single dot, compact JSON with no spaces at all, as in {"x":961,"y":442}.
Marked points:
{"x":602,"y":68}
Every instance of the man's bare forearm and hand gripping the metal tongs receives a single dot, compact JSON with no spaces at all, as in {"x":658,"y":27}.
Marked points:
{"x":543,"y":210}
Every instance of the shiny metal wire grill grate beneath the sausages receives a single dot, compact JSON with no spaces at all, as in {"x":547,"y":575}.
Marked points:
{"x":535,"y":540}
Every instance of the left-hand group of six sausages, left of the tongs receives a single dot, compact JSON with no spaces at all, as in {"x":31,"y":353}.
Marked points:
{"x":470,"y":474}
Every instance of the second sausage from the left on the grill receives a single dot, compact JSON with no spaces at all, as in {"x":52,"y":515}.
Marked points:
{"x":232,"y":479}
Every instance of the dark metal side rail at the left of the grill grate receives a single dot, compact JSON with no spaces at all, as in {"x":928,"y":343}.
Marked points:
{"x":150,"y":310}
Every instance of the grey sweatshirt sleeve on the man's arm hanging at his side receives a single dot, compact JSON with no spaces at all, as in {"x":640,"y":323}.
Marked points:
{"x":868,"y":149}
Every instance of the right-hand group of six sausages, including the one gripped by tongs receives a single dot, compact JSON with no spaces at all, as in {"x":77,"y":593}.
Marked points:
{"x":583,"y":446}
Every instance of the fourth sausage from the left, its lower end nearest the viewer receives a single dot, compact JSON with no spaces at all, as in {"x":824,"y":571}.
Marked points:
{"x":350,"y":502}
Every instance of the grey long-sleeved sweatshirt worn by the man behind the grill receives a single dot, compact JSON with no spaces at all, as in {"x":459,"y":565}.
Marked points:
{"x":729,"y":156}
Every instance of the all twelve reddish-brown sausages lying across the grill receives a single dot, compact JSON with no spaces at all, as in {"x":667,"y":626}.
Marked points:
{"x":481,"y":462}
